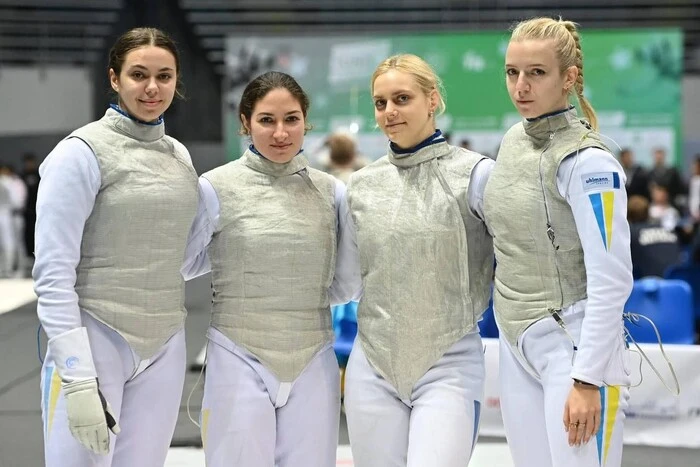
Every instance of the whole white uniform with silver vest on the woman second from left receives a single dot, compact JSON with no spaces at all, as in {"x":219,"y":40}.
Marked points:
{"x":274,"y":237}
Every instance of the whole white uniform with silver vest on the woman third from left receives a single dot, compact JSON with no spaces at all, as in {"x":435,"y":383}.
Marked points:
{"x":414,"y":381}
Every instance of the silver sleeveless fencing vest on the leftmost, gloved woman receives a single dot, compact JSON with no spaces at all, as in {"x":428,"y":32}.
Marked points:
{"x":134,"y":240}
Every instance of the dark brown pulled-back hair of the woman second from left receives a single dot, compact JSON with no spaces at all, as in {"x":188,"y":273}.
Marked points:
{"x":261,"y":86}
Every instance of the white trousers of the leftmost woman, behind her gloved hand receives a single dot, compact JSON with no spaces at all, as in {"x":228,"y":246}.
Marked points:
{"x":144,"y":394}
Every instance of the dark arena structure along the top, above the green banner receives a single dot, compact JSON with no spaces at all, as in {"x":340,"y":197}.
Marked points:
{"x":74,"y":31}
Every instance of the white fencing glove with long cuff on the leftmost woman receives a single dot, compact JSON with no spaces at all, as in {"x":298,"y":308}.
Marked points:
{"x":90,"y":416}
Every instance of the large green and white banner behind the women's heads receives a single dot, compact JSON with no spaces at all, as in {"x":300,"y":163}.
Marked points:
{"x":632,"y":78}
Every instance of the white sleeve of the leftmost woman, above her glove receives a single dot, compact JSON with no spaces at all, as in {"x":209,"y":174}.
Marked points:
{"x":70,"y":181}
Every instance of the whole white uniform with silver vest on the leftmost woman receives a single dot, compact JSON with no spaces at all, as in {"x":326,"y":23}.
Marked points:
{"x":116,"y":202}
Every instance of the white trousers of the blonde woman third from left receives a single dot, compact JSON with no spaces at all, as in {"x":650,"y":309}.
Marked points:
{"x":438,"y":426}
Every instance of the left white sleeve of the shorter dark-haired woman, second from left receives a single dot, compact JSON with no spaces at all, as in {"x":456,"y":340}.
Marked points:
{"x":205,"y":224}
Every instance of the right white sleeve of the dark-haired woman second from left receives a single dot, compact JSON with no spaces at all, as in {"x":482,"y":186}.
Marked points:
{"x":347,"y":282}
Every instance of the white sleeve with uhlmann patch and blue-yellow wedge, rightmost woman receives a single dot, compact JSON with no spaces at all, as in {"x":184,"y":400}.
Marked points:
{"x":594,"y":185}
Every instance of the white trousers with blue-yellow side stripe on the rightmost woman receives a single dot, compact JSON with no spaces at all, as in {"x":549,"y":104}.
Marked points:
{"x":532,"y":405}
